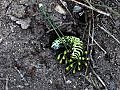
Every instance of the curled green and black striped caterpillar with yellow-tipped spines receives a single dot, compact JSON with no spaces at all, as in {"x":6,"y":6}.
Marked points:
{"x":75,"y":56}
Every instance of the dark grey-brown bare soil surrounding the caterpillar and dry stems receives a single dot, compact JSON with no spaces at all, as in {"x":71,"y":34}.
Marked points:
{"x":26,"y":59}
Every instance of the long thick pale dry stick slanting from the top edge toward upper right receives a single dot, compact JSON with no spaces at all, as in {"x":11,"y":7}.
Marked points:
{"x":92,"y":8}
